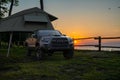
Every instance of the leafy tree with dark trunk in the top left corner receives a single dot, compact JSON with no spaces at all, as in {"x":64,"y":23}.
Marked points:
{"x":4,"y":6}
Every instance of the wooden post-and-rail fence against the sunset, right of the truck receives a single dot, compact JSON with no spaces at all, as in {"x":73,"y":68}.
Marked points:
{"x":99,"y":38}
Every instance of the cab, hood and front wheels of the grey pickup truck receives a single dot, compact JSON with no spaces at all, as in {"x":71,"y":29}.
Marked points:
{"x":50,"y":41}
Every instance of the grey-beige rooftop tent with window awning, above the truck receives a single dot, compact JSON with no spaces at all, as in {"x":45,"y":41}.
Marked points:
{"x":19,"y":21}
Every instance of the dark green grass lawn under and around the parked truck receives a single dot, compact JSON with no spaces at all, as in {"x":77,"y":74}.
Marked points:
{"x":86,"y":65}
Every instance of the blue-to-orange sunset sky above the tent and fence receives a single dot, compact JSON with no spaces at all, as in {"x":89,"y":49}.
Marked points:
{"x":81,"y":18}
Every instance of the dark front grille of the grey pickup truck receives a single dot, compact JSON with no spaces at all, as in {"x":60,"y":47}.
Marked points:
{"x":59,"y":42}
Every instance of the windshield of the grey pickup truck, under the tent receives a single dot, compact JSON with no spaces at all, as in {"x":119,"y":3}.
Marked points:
{"x":48,"y":33}
